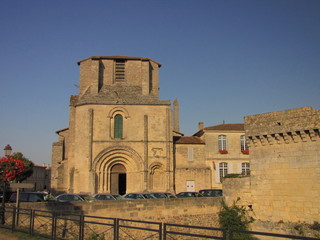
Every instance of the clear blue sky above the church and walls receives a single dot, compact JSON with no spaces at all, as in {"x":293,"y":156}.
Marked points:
{"x":222,"y":59}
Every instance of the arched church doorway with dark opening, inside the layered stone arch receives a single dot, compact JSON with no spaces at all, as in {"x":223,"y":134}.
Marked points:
{"x":118,"y":181}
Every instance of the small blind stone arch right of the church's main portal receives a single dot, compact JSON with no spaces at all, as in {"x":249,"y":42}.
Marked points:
{"x":157,"y":177}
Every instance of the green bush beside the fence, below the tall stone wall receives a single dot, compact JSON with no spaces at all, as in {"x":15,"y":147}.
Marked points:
{"x":235,"y":218}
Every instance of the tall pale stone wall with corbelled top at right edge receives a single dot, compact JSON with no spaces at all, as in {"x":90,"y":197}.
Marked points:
{"x":285,"y":165}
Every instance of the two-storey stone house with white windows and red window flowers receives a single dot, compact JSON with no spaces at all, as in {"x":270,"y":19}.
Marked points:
{"x":226,"y":150}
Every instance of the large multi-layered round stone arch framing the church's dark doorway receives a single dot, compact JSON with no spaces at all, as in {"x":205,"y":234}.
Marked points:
{"x":111,"y":156}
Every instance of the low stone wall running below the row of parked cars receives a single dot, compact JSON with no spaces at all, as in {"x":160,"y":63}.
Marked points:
{"x":189,"y":211}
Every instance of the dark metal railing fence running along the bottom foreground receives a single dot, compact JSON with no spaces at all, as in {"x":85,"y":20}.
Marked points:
{"x":62,"y":226}
